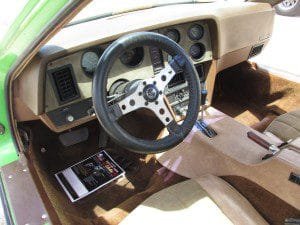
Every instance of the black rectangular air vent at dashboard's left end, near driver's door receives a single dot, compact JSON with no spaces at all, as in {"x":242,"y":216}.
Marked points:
{"x":64,"y":82}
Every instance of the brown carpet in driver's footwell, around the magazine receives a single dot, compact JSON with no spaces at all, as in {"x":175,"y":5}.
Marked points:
{"x":105,"y":206}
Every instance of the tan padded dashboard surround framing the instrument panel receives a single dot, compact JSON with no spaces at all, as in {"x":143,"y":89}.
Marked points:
{"x":233,"y":30}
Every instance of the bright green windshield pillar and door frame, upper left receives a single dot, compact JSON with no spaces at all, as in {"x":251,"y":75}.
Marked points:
{"x":26,"y":28}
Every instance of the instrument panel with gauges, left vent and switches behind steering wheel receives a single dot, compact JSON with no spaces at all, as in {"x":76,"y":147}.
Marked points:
{"x":69,"y":78}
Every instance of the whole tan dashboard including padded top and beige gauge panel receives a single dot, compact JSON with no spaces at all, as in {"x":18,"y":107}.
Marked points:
{"x":230,"y":32}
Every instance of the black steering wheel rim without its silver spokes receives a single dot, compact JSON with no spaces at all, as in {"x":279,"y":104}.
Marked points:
{"x":103,"y":110}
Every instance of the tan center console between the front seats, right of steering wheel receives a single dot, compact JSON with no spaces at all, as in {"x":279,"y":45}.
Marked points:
{"x":232,"y":153}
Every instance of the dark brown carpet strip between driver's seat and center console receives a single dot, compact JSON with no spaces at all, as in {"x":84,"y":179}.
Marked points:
{"x":272,"y":208}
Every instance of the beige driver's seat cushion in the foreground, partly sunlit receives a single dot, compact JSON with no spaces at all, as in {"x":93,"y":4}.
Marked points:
{"x":206,"y":200}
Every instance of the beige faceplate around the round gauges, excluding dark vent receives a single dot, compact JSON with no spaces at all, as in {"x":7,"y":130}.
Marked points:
{"x":142,"y":70}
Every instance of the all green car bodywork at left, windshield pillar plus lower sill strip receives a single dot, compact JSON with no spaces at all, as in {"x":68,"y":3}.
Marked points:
{"x":35,"y":18}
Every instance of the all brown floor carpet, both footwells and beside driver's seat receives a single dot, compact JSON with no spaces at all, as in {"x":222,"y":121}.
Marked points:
{"x":242,"y":92}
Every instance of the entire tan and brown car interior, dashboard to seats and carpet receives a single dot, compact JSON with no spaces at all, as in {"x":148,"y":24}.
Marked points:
{"x":203,"y":135}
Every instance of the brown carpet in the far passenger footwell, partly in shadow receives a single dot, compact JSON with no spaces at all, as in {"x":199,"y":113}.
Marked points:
{"x":249,"y":94}
